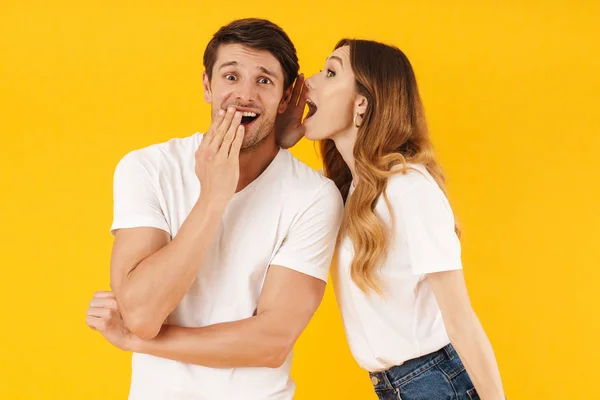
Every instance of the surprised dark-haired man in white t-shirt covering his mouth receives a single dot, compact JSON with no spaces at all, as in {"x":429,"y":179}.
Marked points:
{"x":222,"y":241}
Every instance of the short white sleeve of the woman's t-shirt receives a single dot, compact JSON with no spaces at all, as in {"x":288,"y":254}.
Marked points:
{"x":427,"y":224}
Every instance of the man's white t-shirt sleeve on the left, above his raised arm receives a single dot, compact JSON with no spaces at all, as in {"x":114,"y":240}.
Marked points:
{"x":135,"y":197}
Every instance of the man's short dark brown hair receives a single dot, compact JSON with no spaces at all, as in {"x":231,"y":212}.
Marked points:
{"x":258,"y":34}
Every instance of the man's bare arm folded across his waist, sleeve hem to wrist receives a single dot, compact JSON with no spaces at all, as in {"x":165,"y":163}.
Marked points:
{"x":287,"y":303}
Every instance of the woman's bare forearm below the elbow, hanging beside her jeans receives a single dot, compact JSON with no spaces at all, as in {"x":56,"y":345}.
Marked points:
{"x":476,"y":353}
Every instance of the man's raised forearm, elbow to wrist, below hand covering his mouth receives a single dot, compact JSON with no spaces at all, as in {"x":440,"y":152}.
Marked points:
{"x":152,"y":290}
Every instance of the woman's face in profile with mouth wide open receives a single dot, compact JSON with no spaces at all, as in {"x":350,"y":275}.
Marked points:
{"x":331,"y":98}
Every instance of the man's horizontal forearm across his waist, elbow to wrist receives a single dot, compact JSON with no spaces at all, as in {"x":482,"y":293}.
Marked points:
{"x":251,"y":342}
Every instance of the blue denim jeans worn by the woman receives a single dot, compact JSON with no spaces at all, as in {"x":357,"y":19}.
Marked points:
{"x":436,"y":376}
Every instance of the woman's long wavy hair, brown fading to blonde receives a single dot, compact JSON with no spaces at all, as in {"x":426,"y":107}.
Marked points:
{"x":393,"y":132}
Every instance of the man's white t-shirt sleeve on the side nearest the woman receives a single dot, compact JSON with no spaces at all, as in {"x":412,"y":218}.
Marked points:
{"x":310,"y":243}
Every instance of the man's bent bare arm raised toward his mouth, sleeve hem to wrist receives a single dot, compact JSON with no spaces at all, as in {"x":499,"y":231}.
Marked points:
{"x":150,"y":274}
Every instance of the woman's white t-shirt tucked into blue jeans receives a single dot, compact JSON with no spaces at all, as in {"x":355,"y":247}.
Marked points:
{"x":406,"y":321}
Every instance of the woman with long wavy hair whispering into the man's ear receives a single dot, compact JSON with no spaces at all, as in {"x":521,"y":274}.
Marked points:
{"x":397,"y":273}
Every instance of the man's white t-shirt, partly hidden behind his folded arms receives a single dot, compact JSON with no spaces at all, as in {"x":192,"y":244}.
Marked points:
{"x":288,"y":216}
